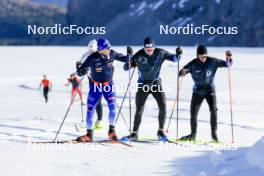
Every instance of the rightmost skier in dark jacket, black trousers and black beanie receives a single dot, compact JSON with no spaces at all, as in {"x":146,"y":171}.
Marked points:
{"x":202,"y":70}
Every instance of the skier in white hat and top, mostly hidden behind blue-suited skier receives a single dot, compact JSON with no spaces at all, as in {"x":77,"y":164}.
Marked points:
{"x":92,"y":47}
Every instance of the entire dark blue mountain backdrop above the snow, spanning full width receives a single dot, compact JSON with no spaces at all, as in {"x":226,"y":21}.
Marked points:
{"x":129,"y":21}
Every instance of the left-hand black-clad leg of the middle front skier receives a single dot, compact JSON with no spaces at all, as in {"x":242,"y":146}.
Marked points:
{"x":141,"y":98}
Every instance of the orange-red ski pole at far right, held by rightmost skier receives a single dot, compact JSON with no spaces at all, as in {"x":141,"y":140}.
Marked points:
{"x":229,"y":54}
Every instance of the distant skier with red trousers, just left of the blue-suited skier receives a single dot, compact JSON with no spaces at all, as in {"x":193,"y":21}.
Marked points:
{"x":76,"y":87}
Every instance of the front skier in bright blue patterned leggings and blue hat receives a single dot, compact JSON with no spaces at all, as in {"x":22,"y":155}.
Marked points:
{"x":100,"y":64}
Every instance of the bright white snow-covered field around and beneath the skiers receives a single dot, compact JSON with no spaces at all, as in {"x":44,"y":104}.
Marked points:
{"x":24,"y":116}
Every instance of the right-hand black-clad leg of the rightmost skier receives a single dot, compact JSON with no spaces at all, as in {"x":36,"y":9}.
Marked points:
{"x":211,"y":100}
